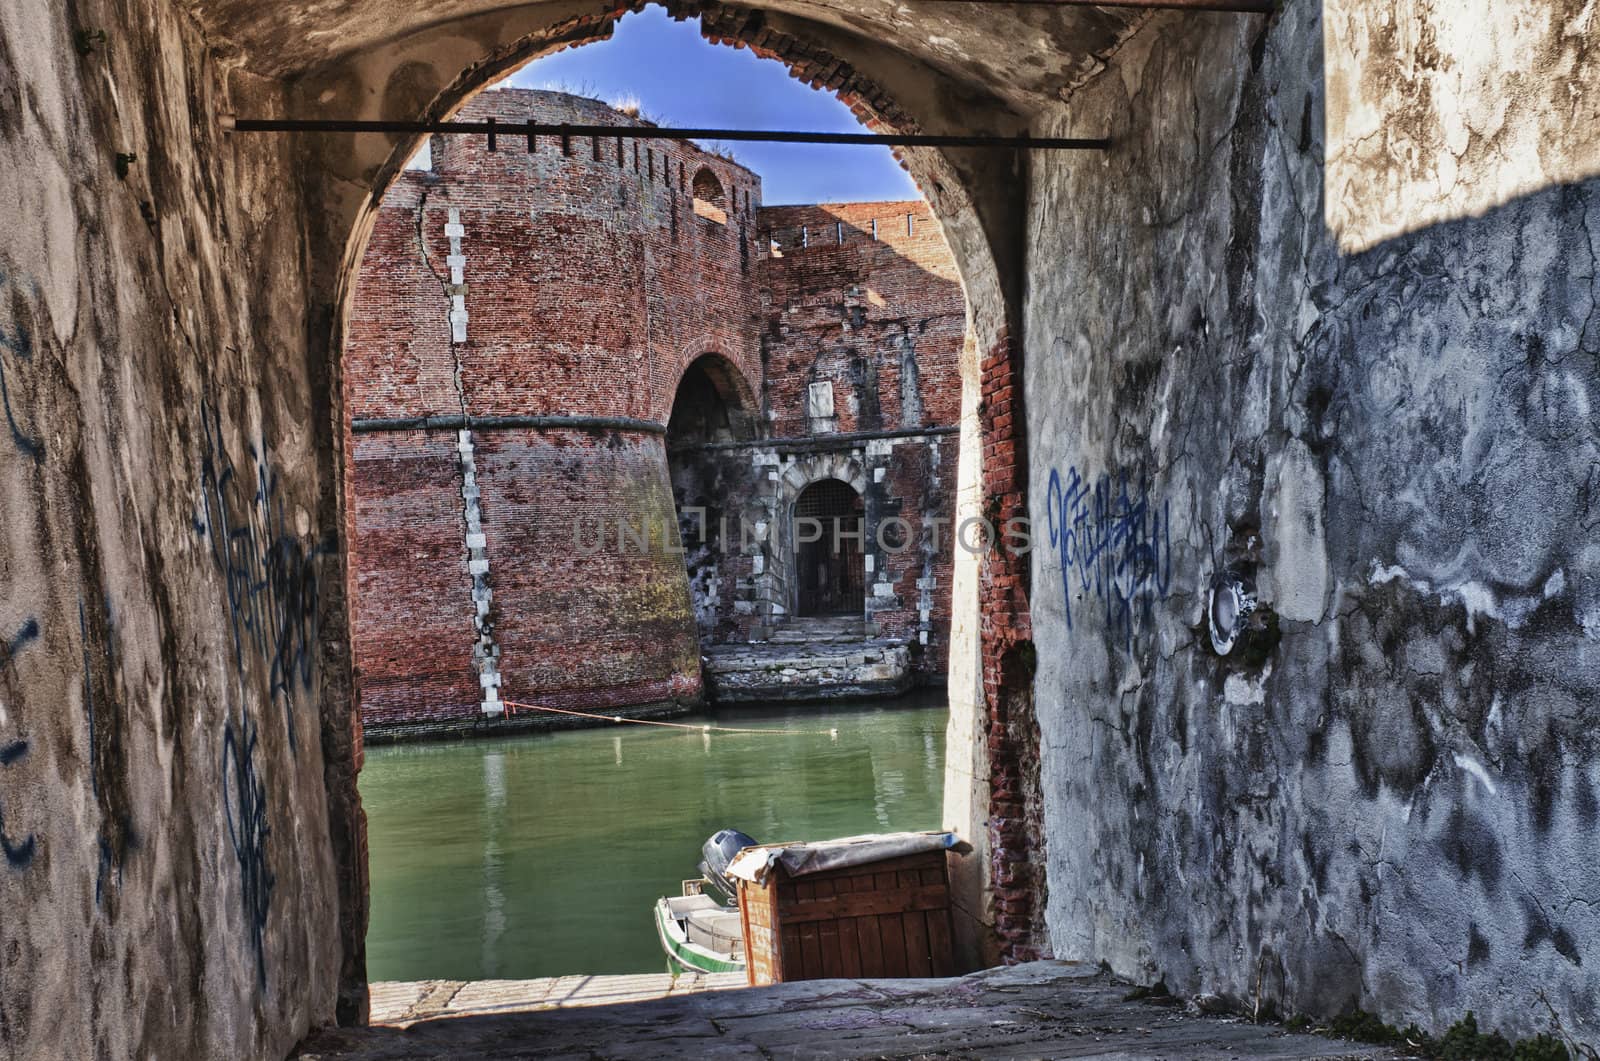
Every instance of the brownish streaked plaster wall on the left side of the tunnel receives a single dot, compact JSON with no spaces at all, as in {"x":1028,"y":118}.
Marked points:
{"x":170,"y":580}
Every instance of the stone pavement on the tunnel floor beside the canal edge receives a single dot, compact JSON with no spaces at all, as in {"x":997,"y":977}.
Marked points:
{"x":1038,"y":1011}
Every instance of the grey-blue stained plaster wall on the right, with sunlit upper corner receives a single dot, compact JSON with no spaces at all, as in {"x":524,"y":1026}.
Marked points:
{"x":1386,"y":796}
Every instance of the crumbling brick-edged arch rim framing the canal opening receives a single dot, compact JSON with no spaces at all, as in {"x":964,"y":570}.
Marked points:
{"x":974,"y":226}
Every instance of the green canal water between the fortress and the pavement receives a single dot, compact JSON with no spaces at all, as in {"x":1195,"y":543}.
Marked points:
{"x":545,"y":855}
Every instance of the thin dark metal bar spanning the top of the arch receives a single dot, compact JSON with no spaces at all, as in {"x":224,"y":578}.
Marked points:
{"x":630,"y":132}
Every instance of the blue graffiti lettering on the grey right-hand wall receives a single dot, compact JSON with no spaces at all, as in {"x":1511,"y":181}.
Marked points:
{"x":1113,"y":543}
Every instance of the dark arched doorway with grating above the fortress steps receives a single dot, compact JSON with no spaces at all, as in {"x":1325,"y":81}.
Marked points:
{"x":830,"y":569}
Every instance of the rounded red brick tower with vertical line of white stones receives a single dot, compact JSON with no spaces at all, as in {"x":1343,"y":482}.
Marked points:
{"x":588,"y":287}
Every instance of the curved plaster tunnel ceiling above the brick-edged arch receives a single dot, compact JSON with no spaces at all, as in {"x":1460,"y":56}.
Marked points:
{"x":1025,"y":54}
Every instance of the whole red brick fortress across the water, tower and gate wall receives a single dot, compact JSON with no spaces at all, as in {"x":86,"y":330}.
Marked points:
{"x":518,"y":338}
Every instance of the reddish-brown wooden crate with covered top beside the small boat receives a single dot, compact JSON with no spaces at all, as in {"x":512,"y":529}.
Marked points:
{"x":881,"y":919}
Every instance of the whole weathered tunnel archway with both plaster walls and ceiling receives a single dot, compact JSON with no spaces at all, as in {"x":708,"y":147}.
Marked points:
{"x":170,"y":319}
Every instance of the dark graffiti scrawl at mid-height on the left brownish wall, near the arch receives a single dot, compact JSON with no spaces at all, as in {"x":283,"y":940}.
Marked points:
{"x":270,"y":574}
